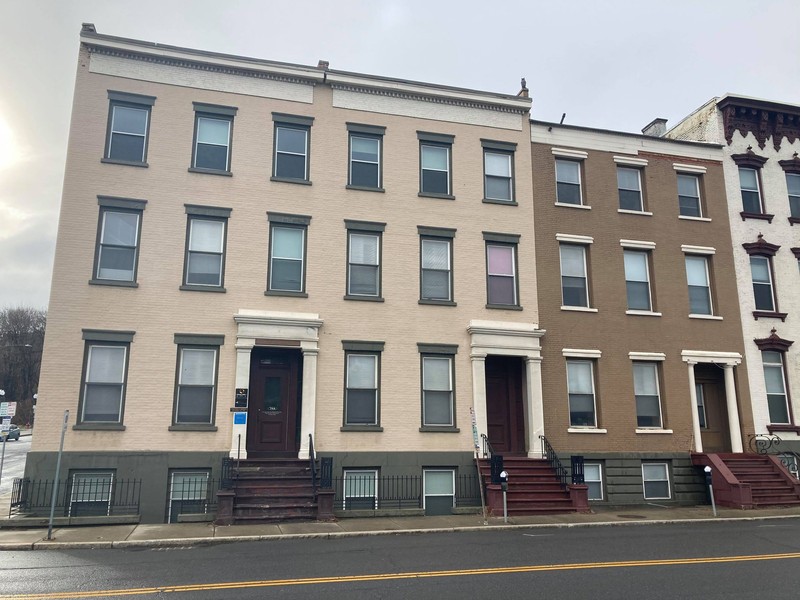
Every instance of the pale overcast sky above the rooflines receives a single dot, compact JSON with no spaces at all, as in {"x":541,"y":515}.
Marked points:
{"x":613,"y":64}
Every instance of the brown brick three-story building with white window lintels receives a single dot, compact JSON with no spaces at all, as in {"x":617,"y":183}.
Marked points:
{"x":643,"y":353}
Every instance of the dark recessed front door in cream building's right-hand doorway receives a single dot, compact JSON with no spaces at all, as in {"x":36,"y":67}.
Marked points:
{"x":505,"y":418}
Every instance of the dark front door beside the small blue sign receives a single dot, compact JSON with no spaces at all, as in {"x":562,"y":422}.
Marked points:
{"x":272,"y":414}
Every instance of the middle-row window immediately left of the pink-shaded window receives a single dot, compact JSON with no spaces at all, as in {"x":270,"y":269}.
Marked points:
{"x":436,"y":265}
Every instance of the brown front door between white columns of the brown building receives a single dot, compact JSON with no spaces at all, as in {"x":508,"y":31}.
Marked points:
{"x":712,"y":408}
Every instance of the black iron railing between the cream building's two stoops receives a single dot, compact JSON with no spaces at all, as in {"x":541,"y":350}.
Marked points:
{"x":366,"y":492}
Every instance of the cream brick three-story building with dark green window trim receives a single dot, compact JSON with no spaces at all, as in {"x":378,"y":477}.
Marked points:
{"x":255,"y":254}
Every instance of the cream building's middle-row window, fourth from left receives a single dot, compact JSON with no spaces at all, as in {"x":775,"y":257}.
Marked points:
{"x":364,"y":260}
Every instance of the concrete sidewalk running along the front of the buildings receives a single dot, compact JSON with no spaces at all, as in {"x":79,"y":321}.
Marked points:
{"x":192,"y":534}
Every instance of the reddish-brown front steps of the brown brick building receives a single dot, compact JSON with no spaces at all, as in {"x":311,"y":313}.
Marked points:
{"x":744,"y":480}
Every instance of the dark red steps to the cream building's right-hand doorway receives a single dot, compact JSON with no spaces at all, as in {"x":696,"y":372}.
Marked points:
{"x":533,"y":488}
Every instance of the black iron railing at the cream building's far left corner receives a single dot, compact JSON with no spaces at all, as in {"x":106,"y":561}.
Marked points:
{"x":78,"y":498}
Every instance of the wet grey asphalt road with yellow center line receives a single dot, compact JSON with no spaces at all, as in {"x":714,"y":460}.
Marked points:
{"x":724,"y":560}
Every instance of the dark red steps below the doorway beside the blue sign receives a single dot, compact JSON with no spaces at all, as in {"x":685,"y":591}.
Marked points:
{"x":273,"y":490}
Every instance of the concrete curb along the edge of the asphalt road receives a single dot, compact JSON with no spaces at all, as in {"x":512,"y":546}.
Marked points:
{"x":206,"y":541}
